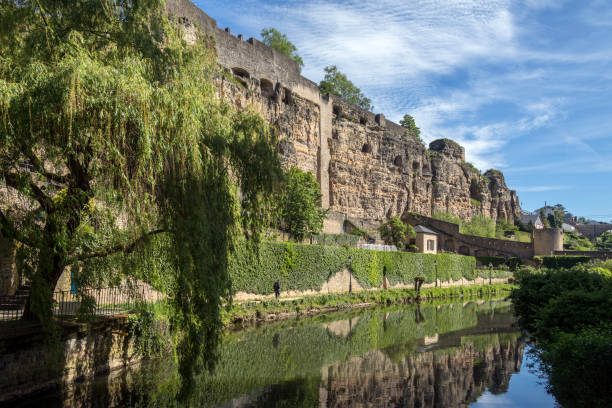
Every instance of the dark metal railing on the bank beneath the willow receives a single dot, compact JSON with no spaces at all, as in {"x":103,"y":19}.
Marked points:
{"x":87,"y":302}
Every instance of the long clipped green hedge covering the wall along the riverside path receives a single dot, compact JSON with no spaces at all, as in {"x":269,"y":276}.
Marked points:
{"x":308,"y":267}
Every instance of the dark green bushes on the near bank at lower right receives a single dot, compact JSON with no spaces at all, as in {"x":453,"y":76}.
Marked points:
{"x":569,"y":312}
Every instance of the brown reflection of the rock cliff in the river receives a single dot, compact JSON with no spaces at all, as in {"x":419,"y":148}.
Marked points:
{"x":443,"y":378}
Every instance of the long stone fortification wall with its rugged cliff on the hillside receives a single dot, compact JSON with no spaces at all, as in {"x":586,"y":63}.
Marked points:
{"x":369,"y":168}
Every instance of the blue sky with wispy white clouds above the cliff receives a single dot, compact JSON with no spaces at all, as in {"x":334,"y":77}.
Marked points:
{"x":524,"y":85}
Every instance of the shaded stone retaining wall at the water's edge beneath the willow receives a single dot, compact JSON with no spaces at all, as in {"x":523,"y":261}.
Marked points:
{"x":27,"y":360}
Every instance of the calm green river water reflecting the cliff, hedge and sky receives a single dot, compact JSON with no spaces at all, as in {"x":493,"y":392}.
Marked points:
{"x":447,"y":355}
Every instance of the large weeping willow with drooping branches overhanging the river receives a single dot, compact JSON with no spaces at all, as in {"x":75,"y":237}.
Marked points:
{"x":117,"y":160}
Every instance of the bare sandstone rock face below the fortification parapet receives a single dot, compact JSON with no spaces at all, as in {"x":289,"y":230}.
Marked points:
{"x":376,"y":168}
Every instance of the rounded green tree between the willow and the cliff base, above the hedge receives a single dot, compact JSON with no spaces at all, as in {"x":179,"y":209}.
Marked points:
{"x":299,"y":206}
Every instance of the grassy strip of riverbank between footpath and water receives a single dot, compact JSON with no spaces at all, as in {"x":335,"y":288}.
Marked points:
{"x":247,"y":313}
